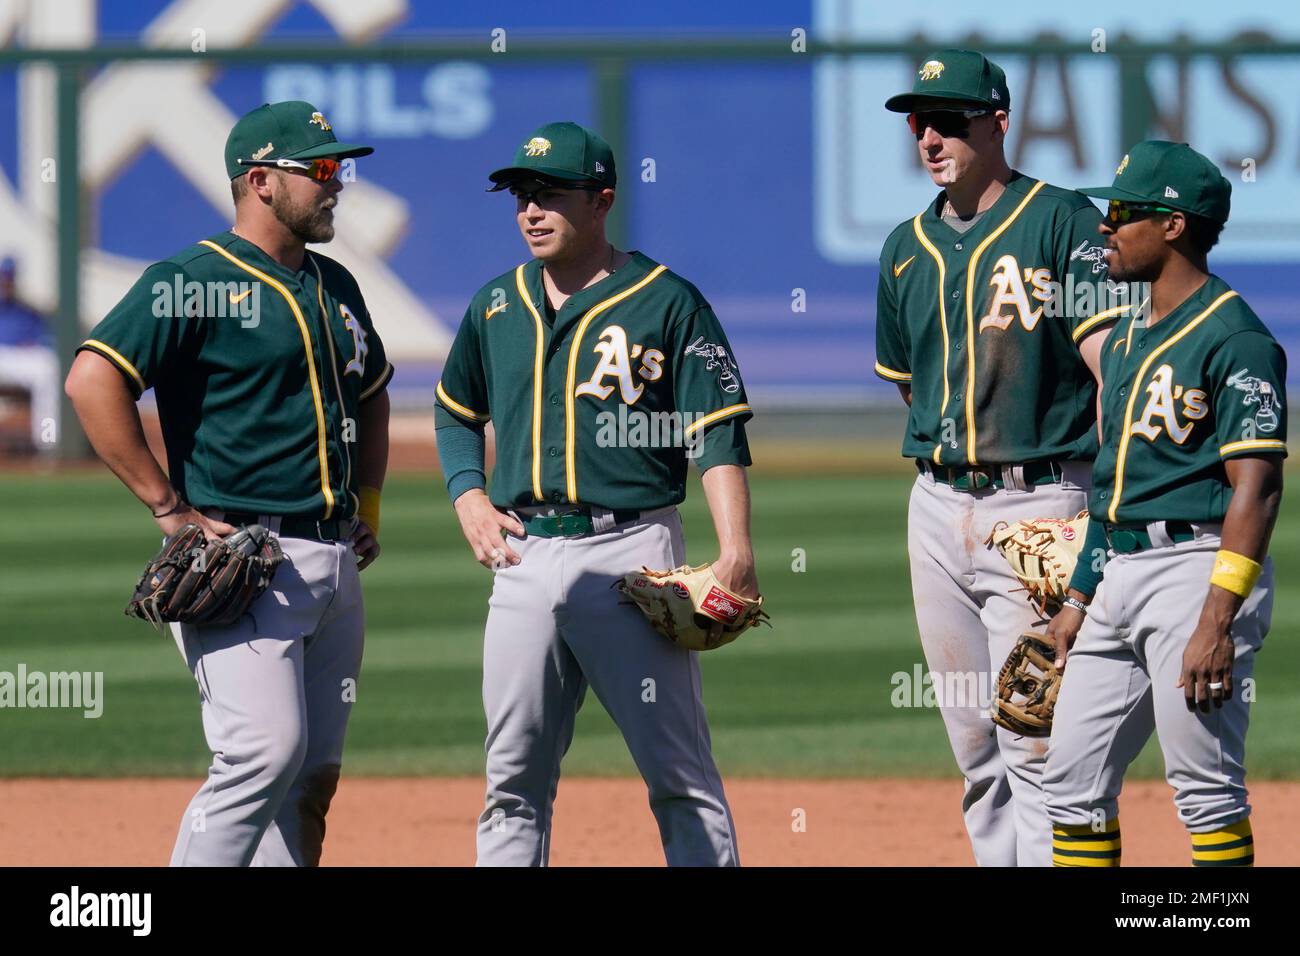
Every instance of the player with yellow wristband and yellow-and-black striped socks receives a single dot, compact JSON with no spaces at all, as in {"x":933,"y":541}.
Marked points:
{"x":1186,"y":492}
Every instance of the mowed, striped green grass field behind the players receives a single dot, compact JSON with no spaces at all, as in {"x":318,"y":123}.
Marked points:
{"x":809,"y":698}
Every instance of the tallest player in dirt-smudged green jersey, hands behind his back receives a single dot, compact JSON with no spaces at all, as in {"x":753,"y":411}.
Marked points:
{"x":998,"y":366}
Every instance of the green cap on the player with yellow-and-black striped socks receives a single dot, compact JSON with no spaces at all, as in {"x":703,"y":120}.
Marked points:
{"x":1172,"y":175}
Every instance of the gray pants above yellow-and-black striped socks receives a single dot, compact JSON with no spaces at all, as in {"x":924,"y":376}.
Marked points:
{"x":1121,"y":684}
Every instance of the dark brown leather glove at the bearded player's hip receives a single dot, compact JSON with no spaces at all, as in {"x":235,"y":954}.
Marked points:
{"x":198,"y":582}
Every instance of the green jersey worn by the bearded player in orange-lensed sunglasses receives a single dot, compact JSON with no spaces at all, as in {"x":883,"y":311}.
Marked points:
{"x":259,"y":374}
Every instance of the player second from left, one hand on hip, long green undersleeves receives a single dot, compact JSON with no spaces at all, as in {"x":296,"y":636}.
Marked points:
{"x":603,"y":374}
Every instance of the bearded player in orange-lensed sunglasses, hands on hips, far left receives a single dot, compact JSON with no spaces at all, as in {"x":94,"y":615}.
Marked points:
{"x":271,"y":392}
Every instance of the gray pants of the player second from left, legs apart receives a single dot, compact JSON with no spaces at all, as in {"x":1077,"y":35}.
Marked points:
{"x":554,"y":628}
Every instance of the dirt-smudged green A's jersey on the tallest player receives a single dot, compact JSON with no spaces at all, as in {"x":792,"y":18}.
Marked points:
{"x":985,"y":327}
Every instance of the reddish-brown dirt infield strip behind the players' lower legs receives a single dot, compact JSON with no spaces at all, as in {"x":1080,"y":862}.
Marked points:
{"x":430,"y":823}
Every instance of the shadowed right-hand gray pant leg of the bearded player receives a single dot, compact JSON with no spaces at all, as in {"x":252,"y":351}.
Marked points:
{"x":332,"y":664}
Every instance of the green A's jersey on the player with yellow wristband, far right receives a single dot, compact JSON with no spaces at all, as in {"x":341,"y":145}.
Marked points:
{"x":1202,"y":386}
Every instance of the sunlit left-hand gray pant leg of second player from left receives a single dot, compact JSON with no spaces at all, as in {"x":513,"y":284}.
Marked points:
{"x":532,"y":691}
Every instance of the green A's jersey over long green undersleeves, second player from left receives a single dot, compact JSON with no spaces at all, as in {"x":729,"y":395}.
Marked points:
{"x":605,"y":401}
